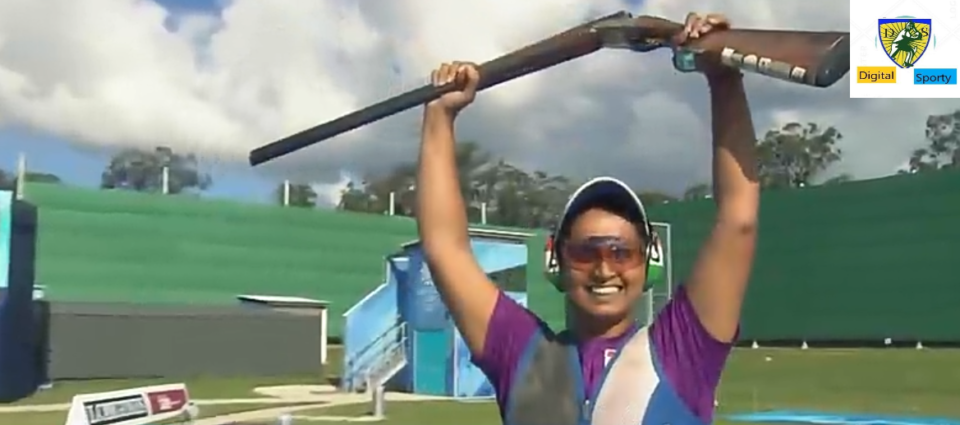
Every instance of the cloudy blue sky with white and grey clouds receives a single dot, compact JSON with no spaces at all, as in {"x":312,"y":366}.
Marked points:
{"x":79,"y":79}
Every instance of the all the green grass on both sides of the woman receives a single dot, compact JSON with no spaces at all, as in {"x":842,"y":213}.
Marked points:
{"x":889,"y":381}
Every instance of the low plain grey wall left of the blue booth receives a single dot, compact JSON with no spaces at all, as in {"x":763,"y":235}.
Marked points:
{"x":98,"y":340}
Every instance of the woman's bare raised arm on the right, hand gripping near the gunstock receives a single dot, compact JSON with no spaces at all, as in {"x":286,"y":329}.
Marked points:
{"x":720,"y":274}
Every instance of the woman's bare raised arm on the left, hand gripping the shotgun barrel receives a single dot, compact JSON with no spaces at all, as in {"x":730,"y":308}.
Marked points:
{"x":441,"y":214}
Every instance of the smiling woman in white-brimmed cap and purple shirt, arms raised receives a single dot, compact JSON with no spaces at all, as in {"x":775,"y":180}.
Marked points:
{"x":605,"y":369}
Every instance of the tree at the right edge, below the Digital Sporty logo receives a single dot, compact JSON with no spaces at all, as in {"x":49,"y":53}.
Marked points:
{"x":943,"y":145}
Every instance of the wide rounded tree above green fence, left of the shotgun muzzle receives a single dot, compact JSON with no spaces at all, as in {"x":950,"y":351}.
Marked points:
{"x":142,"y":171}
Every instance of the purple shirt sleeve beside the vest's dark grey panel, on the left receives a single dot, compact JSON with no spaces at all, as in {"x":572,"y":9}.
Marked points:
{"x":511,"y":327}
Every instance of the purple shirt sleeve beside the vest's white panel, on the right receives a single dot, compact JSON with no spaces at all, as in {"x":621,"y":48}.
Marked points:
{"x":689,"y":356}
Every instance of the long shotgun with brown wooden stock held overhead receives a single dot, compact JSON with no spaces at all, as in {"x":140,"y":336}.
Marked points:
{"x":811,"y":58}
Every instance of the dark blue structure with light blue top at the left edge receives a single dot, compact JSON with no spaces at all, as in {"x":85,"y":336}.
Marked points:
{"x":21,"y":360}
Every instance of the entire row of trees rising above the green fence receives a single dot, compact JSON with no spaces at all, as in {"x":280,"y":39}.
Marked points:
{"x":794,"y":155}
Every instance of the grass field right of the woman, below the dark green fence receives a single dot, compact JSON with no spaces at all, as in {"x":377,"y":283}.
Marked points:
{"x":890,"y":381}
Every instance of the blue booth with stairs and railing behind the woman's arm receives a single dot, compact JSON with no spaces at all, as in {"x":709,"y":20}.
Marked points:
{"x":406,"y":313}
